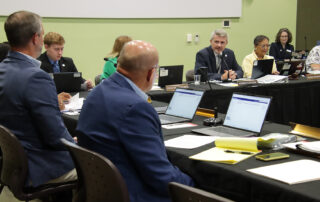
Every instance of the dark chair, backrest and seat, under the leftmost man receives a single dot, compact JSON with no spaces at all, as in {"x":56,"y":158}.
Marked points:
{"x":14,"y":171}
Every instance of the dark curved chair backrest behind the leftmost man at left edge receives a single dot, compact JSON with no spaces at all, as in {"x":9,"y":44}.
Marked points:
{"x":14,"y":162}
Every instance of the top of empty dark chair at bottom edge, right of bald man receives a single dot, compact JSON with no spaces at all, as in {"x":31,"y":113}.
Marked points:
{"x":183,"y":193}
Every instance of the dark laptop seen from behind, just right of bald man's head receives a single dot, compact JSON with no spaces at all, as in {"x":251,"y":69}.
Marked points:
{"x":169,"y":75}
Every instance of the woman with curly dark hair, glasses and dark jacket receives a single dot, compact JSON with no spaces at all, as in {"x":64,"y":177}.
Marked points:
{"x":282,"y":49}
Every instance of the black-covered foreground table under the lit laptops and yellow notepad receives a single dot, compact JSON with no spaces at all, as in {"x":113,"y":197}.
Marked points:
{"x":232,"y":181}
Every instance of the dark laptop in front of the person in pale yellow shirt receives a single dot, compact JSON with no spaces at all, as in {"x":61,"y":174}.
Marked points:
{"x":261,"y":68}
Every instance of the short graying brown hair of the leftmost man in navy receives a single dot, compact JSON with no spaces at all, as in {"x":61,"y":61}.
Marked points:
{"x":20,"y":26}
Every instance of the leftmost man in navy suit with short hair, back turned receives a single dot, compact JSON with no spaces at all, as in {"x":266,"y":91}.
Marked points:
{"x":29,"y":105}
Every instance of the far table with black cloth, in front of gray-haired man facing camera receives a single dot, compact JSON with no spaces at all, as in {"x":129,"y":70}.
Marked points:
{"x":296,"y":101}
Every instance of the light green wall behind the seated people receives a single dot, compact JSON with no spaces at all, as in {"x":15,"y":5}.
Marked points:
{"x":89,"y":40}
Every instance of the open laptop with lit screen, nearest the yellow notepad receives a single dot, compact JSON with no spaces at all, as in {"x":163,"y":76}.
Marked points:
{"x":244,"y":118}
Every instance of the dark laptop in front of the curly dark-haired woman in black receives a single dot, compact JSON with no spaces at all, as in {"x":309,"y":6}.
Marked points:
{"x":291,"y":67}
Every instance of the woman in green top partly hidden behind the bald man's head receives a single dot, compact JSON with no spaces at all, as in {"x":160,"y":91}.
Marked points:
{"x":111,"y":59}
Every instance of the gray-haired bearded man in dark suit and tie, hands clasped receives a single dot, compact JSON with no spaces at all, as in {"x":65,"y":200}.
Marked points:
{"x":220,"y":61}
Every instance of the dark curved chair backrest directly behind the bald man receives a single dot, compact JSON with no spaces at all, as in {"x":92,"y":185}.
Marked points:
{"x":99,"y":179}
